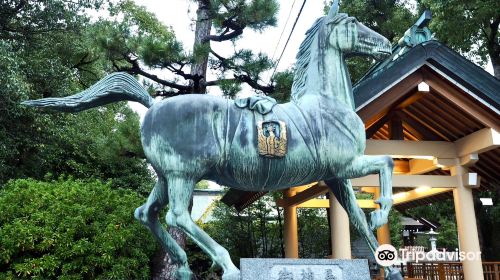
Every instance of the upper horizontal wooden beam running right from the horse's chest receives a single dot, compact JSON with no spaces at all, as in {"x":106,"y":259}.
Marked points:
{"x":411,"y":149}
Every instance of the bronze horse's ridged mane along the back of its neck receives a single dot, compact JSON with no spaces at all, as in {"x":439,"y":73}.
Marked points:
{"x":303,"y":58}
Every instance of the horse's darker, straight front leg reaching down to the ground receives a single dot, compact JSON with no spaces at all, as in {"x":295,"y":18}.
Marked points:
{"x":342,"y":189}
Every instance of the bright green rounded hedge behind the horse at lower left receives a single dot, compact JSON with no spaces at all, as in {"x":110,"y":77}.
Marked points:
{"x":71,"y":229}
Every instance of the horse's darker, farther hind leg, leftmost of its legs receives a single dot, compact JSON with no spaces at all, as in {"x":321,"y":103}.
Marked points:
{"x":147,"y":214}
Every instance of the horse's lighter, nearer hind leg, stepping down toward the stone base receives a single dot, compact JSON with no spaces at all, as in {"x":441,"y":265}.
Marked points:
{"x":180,"y":190}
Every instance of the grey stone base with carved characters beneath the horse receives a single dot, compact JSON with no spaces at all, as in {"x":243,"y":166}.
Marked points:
{"x":304,"y":269}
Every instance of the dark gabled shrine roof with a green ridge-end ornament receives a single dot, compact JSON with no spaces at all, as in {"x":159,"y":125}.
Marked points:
{"x":416,"y":49}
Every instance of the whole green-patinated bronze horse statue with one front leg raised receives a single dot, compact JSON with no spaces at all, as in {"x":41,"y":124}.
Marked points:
{"x":316,"y":136}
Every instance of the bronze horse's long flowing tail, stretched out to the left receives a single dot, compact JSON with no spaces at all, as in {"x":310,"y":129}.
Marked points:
{"x":112,"y":88}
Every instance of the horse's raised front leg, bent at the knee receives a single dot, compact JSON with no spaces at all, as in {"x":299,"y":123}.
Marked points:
{"x":383,"y":165}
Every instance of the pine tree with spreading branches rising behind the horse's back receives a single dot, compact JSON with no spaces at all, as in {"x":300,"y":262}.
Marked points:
{"x":139,"y":43}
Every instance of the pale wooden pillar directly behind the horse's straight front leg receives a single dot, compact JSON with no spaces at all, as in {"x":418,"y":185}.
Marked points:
{"x":340,"y":235}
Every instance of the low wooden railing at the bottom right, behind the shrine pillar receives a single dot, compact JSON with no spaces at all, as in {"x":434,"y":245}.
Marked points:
{"x":447,"y":270}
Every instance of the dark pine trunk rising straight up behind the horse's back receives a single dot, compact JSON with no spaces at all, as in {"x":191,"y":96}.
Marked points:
{"x":203,"y":28}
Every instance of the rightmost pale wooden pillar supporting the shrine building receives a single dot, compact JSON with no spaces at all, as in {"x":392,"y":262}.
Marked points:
{"x":466,"y":225}
